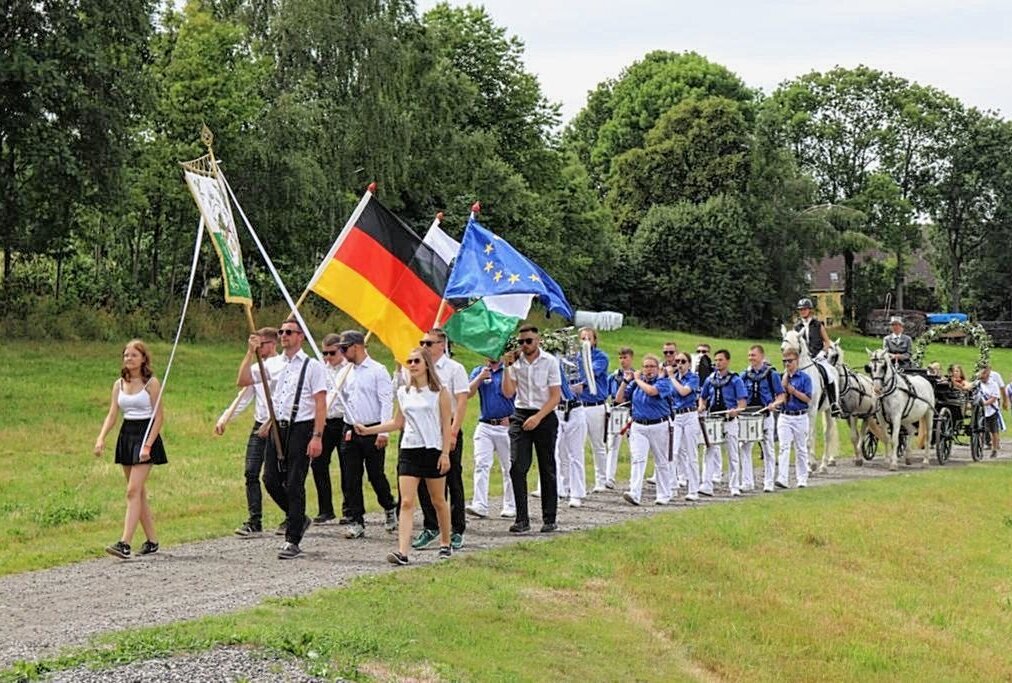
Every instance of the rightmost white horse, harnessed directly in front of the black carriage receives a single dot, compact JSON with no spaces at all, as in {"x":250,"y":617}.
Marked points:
{"x":904,"y":400}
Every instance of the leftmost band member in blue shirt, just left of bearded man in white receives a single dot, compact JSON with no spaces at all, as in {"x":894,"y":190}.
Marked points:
{"x":491,"y":437}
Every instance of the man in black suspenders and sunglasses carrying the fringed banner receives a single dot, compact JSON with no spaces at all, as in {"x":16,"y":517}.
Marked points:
{"x":301,"y":410}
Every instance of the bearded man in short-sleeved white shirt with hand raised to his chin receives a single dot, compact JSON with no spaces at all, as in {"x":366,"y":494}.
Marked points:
{"x":534,"y":381}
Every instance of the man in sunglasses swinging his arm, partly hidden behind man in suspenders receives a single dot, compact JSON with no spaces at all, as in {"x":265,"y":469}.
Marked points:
{"x":257,"y":445}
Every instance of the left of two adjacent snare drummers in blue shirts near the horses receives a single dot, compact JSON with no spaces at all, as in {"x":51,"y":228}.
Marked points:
{"x":723,"y":394}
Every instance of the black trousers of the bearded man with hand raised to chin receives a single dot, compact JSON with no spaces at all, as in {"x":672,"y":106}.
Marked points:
{"x":542,"y":441}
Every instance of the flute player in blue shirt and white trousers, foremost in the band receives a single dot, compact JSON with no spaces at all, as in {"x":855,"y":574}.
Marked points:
{"x":650,"y":396}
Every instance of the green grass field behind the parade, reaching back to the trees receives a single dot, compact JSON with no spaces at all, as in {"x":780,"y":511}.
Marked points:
{"x":61,"y":504}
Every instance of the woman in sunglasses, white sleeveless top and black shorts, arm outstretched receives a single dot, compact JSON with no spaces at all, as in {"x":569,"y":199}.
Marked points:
{"x":424,"y":415}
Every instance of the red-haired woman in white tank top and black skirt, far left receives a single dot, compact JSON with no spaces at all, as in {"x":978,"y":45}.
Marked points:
{"x":138,"y":448}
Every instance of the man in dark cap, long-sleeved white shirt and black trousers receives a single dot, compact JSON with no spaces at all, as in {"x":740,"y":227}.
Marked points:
{"x":368,"y":395}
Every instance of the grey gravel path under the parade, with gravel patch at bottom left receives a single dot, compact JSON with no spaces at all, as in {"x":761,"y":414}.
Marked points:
{"x":45,"y":612}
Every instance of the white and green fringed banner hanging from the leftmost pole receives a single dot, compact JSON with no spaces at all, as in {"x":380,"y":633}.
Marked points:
{"x":208,"y":188}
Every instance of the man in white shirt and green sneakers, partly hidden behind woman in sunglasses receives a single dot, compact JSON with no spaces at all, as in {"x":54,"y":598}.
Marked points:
{"x":455,"y":379}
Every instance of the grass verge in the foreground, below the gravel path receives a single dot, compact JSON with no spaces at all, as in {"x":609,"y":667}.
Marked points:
{"x":905,"y":578}
